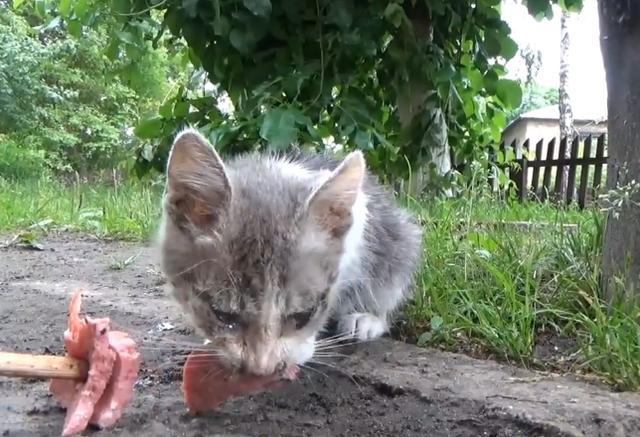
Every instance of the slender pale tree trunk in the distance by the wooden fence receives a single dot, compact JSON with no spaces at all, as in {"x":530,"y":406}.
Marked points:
{"x":564,"y":105}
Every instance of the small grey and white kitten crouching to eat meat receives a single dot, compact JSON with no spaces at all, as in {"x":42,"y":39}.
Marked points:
{"x":263,"y":251}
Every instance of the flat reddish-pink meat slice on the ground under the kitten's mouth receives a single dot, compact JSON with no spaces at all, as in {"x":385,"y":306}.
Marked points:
{"x":206,"y":384}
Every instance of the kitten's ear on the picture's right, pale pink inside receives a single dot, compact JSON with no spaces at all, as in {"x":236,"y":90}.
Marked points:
{"x":330,"y":204}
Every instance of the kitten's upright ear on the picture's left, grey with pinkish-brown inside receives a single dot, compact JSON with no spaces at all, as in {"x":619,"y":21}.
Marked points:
{"x":198,"y":188}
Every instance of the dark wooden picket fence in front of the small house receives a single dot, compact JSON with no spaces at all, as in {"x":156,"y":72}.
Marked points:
{"x":544,"y":177}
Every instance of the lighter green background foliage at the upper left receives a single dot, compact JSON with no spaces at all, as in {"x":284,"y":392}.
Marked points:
{"x":63,"y":97}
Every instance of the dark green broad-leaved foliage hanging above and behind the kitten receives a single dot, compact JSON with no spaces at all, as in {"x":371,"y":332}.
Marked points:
{"x":301,"y":72}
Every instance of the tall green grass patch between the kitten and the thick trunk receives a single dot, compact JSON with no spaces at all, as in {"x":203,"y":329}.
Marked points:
{"x":529,"y":296}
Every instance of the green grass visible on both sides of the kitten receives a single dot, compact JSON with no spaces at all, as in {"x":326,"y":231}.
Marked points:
{"x":527,"y":295}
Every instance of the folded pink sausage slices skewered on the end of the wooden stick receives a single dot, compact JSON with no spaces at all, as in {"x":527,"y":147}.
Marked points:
{"x":114,"y":363}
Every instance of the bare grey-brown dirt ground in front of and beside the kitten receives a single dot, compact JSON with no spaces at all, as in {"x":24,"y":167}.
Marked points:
{"x":382,"y":389}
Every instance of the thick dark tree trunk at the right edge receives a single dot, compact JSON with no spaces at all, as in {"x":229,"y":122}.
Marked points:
{"x":620,"y":43}
